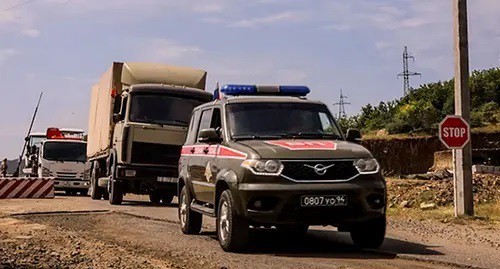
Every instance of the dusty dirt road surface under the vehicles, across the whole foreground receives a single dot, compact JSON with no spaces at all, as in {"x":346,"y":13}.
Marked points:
{"x":139,"y":235}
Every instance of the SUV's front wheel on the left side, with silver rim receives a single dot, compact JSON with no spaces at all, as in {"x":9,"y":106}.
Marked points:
{"x":232,"y":229}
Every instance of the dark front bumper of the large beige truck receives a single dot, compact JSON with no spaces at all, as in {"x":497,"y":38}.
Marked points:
{"x":147,"y":178}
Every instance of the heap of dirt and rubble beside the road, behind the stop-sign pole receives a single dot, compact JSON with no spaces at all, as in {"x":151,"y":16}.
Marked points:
{"x":411,"y":193}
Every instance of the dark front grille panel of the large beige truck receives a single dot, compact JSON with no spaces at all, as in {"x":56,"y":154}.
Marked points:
{"x":160,"y":154}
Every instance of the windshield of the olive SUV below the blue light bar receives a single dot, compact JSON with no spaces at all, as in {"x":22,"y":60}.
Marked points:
{"x":256,"y":120}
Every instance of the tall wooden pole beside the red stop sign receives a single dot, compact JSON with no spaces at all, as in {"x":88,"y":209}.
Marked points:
{"x":462,"y":158}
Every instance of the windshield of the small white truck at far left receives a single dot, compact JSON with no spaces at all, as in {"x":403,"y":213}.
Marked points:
{"x":65,"y":151}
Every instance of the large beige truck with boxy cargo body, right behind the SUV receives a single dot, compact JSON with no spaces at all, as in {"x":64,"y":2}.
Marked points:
{"x":138,"y":122}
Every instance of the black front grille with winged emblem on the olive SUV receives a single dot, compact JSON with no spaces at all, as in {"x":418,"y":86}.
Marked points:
{"x":304,"y":170}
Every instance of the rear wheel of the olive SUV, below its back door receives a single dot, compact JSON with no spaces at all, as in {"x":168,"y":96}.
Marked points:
{"x":190,"y":221}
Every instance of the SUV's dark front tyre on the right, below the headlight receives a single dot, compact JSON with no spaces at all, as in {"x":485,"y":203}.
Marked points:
{"x":369,"y":234}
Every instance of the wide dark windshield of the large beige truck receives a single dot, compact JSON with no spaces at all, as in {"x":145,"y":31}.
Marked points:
{"x":162,"y":109}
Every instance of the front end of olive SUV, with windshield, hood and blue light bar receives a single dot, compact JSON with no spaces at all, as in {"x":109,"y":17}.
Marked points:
{"x":295,"y":169}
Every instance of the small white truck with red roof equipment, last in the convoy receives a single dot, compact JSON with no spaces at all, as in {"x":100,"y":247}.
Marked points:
{"x":62,"y":155}
